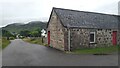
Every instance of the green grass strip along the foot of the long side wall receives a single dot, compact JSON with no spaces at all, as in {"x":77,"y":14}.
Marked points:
{"x":102,"y":50}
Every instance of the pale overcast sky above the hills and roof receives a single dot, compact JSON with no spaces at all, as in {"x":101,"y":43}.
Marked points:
{"x":24,"y":11}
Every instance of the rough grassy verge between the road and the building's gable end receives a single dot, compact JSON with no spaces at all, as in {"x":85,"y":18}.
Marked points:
{"x":34,"y":41}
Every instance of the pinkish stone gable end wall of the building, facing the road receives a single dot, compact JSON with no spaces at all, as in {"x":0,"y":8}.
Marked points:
{"x":56,"y":32}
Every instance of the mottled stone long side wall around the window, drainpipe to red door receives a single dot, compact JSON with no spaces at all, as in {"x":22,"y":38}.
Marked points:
{"x":80,"y":38}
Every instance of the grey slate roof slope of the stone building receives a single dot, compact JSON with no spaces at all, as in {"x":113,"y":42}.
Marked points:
{"x":82,"y":19}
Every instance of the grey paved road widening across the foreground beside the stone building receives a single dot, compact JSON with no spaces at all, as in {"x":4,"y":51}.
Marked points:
{"x":20,"y":53}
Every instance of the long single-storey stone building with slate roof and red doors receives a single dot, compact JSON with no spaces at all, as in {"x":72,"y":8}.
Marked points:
{"x":71,"y":29}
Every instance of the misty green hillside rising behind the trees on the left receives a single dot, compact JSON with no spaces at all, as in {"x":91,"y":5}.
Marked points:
{"x":33,"y":25}
